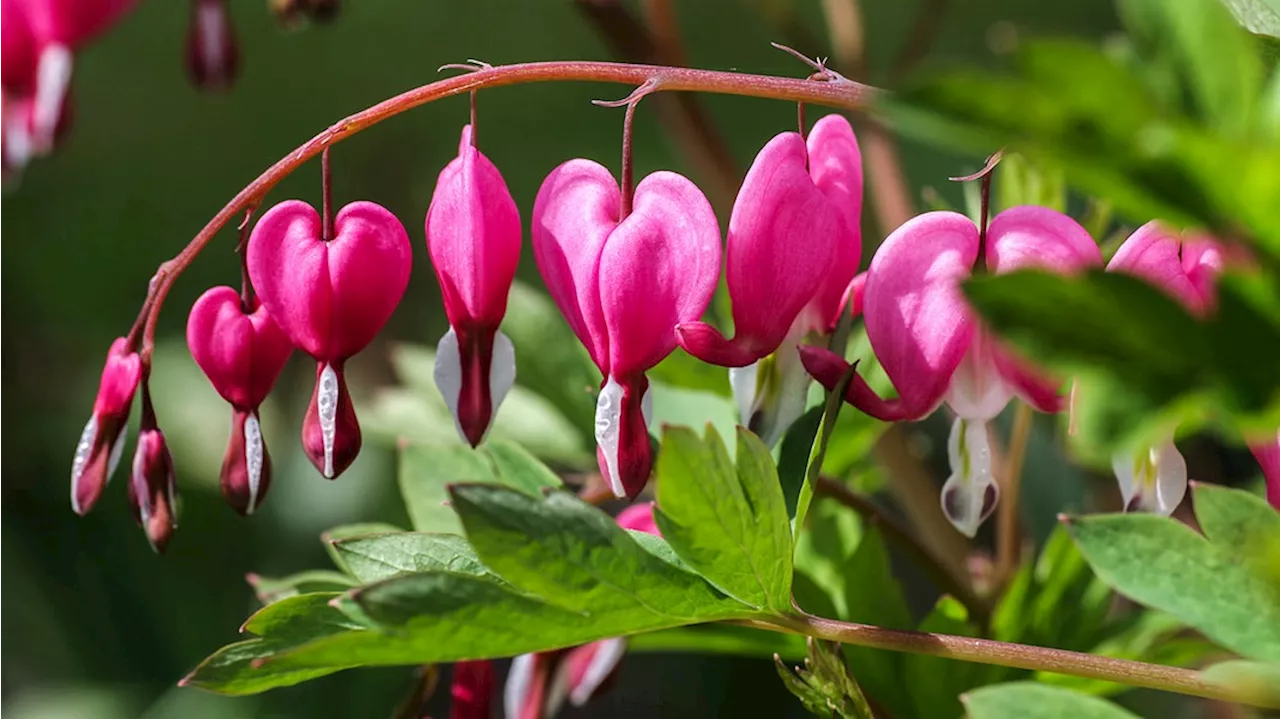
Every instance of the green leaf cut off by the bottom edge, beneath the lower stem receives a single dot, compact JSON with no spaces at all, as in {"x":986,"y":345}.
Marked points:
{"x":1028,"y":700}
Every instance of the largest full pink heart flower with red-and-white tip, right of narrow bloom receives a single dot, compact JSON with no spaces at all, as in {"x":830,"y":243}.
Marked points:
{"x":624,"y":285}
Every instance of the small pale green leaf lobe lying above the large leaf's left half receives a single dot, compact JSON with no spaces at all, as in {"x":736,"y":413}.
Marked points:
{"x":373,"y":558}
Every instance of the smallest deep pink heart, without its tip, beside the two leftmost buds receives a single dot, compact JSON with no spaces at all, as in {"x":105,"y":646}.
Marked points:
{"x":241,"y":352}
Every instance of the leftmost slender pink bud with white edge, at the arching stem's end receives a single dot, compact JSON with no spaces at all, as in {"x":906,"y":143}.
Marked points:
{"x":103,"y":441}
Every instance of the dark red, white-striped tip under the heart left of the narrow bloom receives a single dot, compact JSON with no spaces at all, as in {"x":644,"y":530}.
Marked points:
{"x":331,"y":434}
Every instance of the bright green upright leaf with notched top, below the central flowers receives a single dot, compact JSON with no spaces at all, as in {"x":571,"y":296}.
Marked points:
{"x":730,"y":524}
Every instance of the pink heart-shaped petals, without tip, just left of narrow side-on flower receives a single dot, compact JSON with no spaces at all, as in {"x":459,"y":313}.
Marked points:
{"x":331,"y":299}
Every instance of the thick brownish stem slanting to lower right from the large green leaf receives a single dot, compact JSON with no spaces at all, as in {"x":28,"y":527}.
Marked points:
{"x":1017,"y":656}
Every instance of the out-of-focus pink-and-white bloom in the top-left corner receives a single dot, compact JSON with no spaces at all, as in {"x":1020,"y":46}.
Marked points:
{"x":38,"y":40}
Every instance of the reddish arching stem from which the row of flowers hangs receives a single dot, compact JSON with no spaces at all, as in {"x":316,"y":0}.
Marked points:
{"x":842,"y":94}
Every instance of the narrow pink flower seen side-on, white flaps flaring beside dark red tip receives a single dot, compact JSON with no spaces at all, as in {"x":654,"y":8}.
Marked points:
{"x":473,"y":233}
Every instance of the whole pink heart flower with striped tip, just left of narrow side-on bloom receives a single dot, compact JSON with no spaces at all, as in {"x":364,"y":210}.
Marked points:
{"x":331,"y":297}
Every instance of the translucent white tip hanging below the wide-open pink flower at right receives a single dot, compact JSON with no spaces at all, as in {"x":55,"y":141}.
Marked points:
{"x":971,"y":493}
